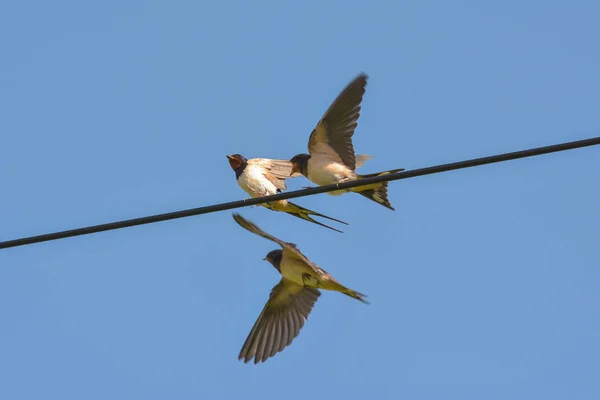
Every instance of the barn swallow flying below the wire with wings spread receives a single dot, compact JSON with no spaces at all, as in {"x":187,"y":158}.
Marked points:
{"x":290,"y":301}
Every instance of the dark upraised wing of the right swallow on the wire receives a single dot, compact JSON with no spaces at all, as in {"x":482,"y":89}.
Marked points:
{"x":333,"y":134}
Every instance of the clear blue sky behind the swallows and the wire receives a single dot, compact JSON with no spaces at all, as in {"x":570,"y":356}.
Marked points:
{"x":484,"y":283}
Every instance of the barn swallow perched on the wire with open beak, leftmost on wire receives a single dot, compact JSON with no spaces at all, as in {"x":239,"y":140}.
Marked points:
{"x":261,"y":177}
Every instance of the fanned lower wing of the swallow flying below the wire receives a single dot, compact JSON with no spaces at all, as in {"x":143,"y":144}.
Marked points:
{"x":280,"y":321}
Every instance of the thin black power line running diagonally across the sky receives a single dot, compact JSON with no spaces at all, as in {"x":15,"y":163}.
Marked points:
{"x":301,"y":193}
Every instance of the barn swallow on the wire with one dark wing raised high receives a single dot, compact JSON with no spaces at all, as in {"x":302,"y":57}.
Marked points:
{"x":332,"y":159}
